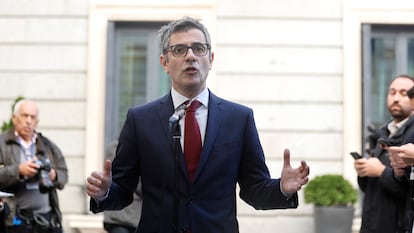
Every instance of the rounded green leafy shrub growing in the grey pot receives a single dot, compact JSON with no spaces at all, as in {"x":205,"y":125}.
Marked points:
{"x":330,"y":190}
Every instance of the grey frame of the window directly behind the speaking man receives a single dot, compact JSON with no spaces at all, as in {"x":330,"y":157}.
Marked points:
{"x":113,"y":70}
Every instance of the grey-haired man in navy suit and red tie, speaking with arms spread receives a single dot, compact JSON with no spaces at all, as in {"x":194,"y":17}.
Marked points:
{"x":201,"y":196}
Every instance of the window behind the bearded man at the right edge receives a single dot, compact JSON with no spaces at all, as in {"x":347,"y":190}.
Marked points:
{"x":388,"y":50}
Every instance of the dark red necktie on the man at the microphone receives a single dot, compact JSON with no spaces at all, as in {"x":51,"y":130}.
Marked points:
{"x":192,"y":139}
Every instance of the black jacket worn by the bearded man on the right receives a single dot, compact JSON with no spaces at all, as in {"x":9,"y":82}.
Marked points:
{"x":385,"y":197}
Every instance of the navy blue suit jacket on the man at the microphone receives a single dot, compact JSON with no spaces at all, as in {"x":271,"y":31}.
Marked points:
{"x":231,"y":154}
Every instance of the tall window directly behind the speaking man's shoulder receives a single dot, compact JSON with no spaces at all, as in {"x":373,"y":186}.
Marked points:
{"x":134,"y":74}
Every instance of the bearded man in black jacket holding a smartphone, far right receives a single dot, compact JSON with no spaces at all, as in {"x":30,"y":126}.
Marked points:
{"x":385,"y":190}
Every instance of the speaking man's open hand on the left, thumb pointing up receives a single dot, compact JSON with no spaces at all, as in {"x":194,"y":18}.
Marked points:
{"x":98,"y":183}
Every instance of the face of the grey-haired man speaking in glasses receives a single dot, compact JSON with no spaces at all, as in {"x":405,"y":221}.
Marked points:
{"x":188,"y":73}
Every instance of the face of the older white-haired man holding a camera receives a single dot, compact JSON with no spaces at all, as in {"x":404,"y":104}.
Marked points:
{"x":26,"y":120}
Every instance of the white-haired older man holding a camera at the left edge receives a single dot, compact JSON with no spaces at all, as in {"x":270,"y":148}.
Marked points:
{"x":31,"y":167}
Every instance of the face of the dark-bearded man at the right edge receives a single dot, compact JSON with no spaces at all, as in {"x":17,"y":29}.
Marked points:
{"x":398,"y":102}
